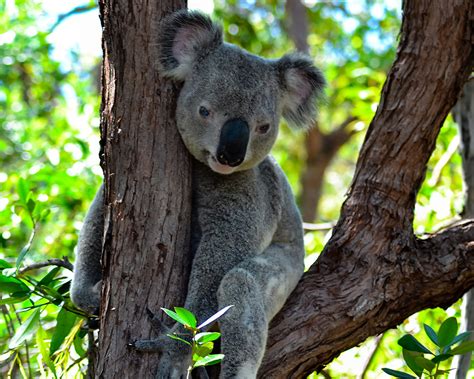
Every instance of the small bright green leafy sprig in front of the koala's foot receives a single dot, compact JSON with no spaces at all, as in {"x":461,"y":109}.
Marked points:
{"x":202,"y":343}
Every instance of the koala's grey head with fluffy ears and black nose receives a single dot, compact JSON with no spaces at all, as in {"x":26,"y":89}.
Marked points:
{"x":231,"y":101}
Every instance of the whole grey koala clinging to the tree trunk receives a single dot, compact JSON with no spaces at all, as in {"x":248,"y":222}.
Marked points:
{"x":247,"y":231}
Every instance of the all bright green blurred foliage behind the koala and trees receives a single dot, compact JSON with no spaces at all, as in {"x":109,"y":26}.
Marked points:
{"x":49,"y":117}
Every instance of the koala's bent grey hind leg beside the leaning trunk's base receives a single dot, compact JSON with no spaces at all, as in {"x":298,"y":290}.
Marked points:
{"x":258,"y":288}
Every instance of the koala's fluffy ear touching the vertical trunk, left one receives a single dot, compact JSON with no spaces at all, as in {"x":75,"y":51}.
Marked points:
{"x":184,"y":37}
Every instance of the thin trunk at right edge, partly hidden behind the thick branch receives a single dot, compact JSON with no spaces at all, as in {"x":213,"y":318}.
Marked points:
{"x":464,"y":115}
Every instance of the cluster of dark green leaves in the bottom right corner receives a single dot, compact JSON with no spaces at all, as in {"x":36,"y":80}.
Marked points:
{"x":447,"y":344}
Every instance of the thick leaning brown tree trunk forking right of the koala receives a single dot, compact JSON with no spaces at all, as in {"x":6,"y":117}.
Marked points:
{"x":374,"y":272}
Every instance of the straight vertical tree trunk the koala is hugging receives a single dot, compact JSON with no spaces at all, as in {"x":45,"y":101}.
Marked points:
{"x":146,"y":257}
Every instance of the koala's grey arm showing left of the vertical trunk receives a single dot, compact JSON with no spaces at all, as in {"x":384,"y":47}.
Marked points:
{"x":86,"y":282}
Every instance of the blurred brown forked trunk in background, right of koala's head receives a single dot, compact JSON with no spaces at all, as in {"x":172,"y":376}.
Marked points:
{"x":320,"y":147}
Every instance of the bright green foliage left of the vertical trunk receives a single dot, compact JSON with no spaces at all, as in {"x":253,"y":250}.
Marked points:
{"x":47,"y":178}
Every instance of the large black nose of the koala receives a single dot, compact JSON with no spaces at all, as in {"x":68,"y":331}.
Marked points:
{"x":233,"y":142}
